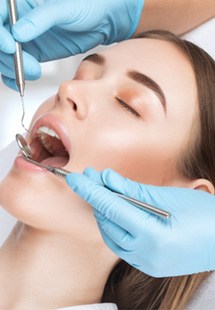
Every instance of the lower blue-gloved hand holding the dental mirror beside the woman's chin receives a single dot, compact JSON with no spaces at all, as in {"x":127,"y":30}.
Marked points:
{"x":182,"y":244}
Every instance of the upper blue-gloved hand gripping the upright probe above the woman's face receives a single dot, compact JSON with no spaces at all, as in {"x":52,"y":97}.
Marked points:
{"x":54,"y":29}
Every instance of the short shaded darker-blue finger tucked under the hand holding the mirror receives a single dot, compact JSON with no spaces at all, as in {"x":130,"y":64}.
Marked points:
{"x":117,"y":234}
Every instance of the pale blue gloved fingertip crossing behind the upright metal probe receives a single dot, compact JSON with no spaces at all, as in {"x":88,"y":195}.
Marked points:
{"x":32,"y":68}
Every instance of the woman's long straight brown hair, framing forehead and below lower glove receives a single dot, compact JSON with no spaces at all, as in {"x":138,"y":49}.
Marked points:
{"x":128,"y":287}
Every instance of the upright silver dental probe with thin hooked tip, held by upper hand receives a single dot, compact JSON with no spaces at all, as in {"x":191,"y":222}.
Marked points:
{"x":18,"y":61}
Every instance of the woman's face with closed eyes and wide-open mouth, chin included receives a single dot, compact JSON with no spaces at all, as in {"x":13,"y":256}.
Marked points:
{"x":130,"y":108}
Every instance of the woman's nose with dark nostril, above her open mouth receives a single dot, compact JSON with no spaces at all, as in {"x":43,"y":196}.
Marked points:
{"x":71,"y":96}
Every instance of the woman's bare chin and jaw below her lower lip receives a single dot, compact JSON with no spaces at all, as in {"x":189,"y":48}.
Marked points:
{"x":46,"y":203}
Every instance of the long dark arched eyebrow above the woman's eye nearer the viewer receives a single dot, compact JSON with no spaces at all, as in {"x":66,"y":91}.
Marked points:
{"x":151,"y":84}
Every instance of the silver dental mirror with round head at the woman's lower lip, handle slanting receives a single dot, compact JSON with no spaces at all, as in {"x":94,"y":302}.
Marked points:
{"x":26,"y":151}
